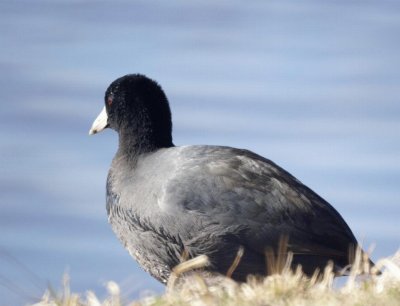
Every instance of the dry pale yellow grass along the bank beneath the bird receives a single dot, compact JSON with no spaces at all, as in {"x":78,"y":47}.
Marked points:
{"x":287,"y":288}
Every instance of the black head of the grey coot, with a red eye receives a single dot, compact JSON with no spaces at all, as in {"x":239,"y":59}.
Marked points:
{"x":137,"y":108}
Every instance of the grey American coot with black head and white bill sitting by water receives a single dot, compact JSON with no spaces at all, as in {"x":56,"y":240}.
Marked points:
{"x":163,"y":200}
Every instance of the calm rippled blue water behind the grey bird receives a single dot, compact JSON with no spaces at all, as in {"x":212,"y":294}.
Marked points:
{"x":312,"y":85}
